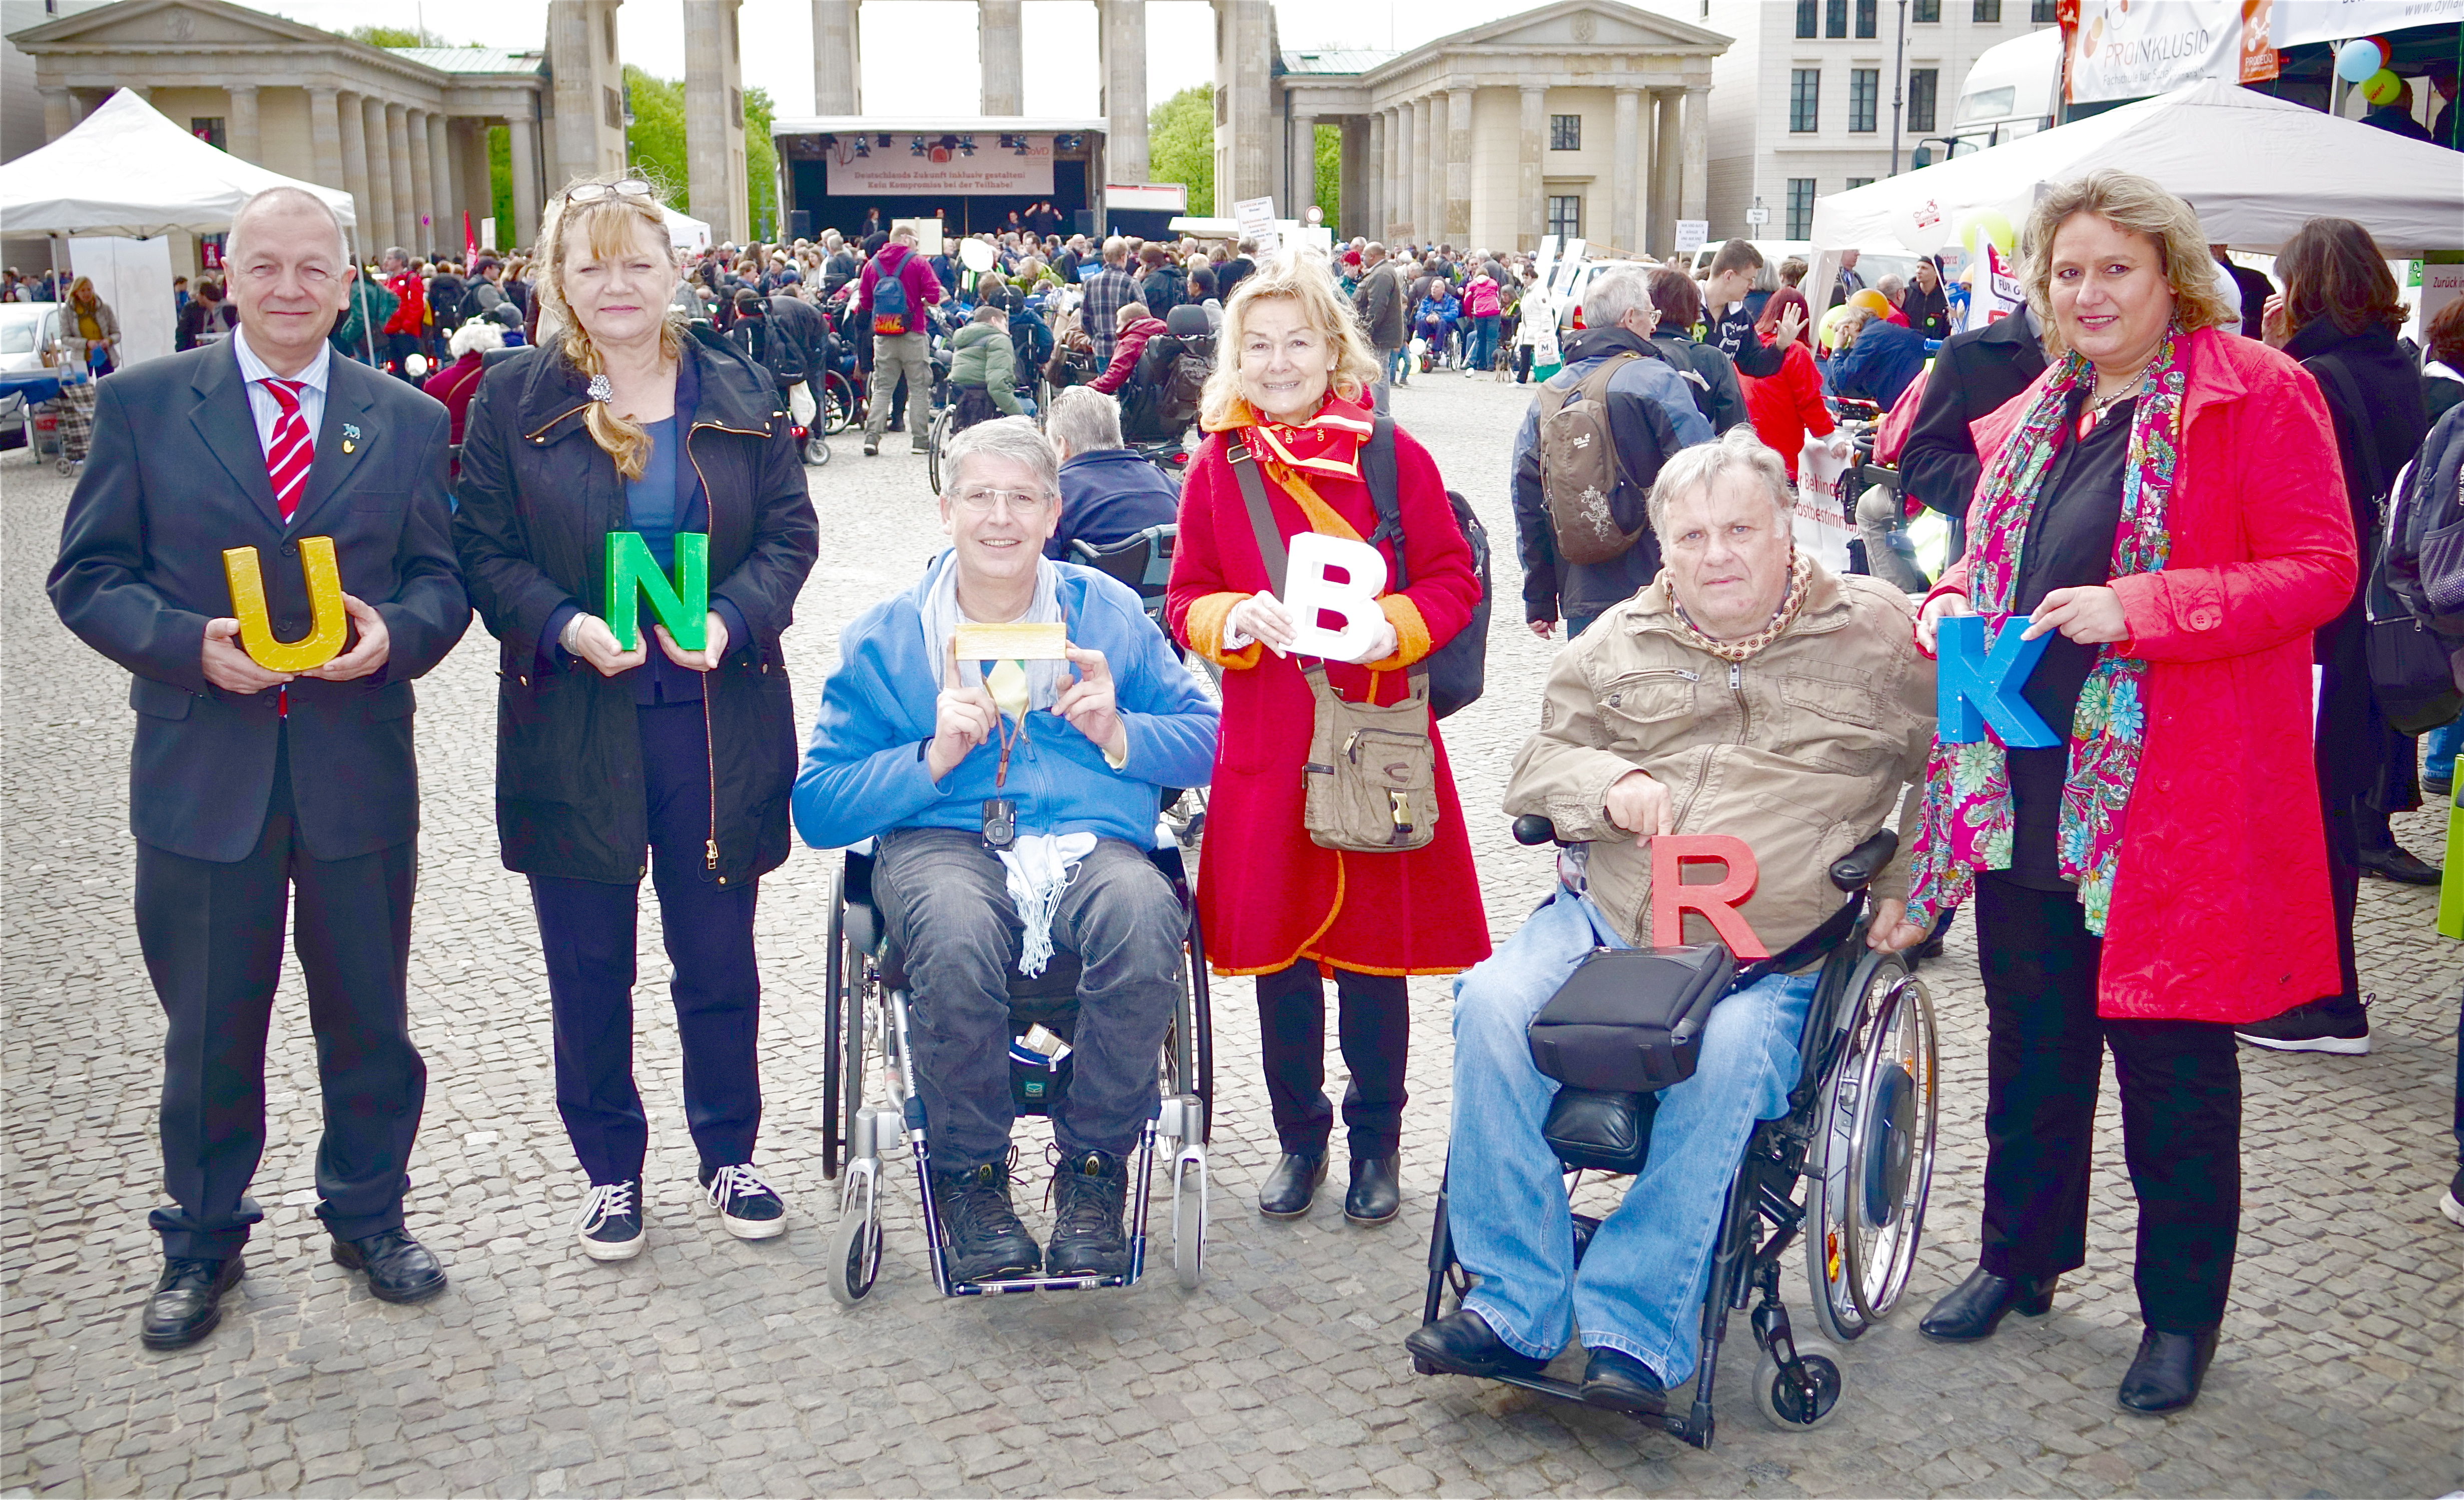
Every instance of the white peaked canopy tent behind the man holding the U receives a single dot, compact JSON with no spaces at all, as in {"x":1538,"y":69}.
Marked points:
{"x":129,"y":171}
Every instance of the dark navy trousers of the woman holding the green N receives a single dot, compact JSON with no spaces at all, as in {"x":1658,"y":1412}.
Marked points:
{"x":588,"y":932}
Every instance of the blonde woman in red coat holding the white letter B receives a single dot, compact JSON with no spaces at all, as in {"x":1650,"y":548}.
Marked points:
{"x":1292,"y":393}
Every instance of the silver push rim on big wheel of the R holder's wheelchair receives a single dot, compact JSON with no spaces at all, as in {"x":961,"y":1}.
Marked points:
{"x":1891,"y":1151}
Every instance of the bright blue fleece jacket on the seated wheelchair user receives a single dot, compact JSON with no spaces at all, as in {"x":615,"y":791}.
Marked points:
{"x":864,"y":770}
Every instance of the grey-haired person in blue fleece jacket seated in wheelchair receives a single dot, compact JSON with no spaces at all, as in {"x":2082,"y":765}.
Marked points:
{"x":1014,"y":802}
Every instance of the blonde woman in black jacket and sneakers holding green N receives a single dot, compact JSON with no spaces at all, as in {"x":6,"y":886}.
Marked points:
{"x":634,"y":422}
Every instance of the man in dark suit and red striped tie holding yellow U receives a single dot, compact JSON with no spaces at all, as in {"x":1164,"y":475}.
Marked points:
{"x":250,"y":787}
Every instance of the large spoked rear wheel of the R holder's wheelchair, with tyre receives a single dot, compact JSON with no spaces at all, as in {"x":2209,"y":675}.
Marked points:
{"x":1871,"y":1154}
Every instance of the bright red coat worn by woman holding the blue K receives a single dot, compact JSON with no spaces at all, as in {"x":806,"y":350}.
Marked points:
{"x":2221,"y":908}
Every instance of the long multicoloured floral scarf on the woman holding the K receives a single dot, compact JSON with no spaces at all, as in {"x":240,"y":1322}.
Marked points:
{"x":1968,"y":787}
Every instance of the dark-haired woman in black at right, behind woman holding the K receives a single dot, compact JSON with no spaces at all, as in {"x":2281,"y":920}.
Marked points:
{"x":2340,"y":317}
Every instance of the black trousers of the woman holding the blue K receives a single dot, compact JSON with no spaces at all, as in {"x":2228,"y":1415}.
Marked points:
{"x":2182,"y":1115}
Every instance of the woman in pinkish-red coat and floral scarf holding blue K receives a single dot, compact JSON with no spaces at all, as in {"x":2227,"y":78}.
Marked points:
{"x":2167,"y":509}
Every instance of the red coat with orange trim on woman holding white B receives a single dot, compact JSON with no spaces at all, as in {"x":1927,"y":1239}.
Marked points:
{"x":1265,"y":893}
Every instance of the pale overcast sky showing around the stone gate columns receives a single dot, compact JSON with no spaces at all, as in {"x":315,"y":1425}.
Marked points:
{"x":920,"y":55}
